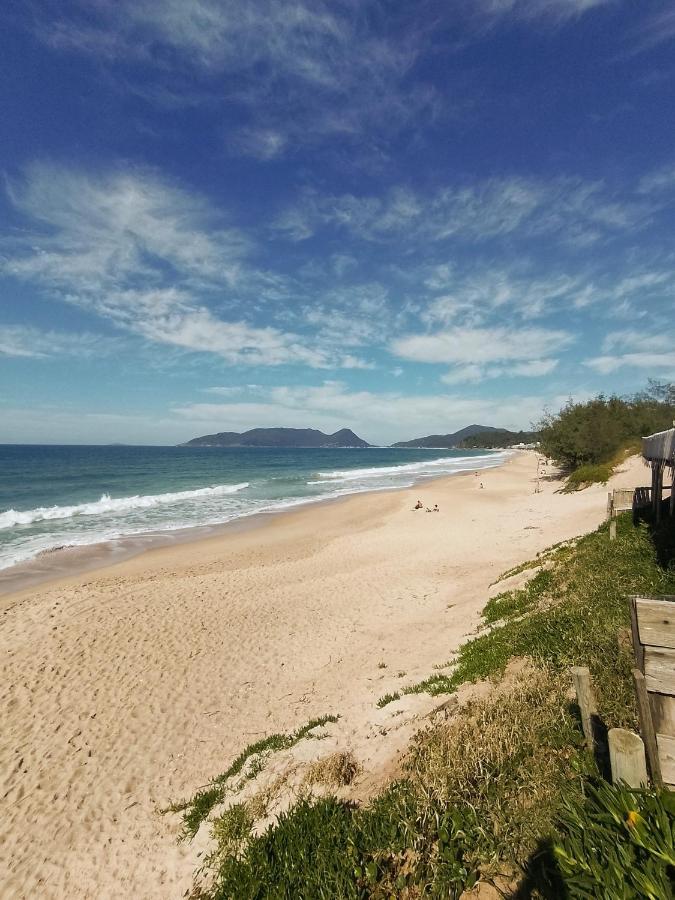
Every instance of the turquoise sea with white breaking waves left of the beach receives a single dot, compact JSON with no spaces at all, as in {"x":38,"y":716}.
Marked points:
{"x":64,"y":496}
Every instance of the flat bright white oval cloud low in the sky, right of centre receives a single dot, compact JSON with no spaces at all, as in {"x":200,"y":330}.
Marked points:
{"x":480,"y":346}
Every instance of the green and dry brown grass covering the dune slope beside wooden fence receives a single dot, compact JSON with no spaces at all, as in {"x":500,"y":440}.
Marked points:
{"x":490,"y":791}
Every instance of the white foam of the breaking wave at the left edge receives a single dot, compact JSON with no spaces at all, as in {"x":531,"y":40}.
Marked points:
{"x":113,"y":505}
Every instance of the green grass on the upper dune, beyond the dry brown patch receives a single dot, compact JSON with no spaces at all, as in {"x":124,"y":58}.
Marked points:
{"x":573,"y":613}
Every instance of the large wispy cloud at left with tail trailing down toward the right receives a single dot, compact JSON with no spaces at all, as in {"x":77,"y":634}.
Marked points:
{"x":144,"y":254}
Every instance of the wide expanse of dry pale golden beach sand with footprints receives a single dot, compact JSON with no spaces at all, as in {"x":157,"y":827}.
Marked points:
{"x":127,"y":687}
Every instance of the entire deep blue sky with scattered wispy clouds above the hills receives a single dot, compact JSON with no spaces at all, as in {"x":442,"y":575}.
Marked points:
{"x":400,"y":218}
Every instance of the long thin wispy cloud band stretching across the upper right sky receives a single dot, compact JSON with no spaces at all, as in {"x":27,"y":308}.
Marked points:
{"x":570,"y":210}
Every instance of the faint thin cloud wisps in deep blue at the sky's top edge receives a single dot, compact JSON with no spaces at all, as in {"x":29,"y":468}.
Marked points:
{"x":299,"y":70}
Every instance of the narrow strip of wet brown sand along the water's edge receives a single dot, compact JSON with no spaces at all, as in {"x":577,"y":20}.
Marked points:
{"x":63,"y":564}
